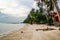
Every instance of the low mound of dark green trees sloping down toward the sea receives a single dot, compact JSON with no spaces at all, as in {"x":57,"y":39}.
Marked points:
{"x":35,"y":17}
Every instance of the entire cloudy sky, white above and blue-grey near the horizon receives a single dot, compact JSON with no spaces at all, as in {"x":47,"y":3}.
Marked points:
{"x":15,"y":10}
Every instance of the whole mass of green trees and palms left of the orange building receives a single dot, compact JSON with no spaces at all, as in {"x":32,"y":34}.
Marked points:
{"x":37,"y":16}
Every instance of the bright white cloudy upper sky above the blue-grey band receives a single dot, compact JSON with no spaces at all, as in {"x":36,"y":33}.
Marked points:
{"x":16,"y":8}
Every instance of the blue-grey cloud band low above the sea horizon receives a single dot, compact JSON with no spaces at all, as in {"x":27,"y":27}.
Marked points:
{"x":5,"y":18}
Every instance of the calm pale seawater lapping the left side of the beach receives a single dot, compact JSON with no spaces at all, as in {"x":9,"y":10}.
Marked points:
{"x":5,"y":27}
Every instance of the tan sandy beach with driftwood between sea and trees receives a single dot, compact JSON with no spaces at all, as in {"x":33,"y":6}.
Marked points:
{"x":34,"y":32}
